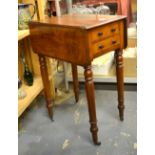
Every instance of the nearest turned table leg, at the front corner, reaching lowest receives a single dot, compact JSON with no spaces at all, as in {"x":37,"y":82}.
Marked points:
{"x":89,"y":86}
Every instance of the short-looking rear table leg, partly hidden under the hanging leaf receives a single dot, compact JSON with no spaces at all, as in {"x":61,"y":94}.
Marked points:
{"x":75,"y":82}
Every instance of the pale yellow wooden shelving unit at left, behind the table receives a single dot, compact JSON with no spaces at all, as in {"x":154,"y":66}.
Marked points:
{"x":32,"y":60}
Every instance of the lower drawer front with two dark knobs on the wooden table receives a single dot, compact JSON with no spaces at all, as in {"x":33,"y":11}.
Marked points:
{"x":106,"y":44}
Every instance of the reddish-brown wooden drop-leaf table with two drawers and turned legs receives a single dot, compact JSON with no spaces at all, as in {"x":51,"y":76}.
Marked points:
{"x":79,"y":39}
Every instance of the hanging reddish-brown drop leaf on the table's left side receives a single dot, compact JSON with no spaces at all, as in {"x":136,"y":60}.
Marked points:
{"x":67,"y":44}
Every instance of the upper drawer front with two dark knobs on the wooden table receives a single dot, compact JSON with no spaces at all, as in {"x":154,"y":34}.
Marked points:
{"x":104,"y":32}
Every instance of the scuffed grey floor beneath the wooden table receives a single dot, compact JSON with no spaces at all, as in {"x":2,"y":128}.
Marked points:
{"x":69,"y":133}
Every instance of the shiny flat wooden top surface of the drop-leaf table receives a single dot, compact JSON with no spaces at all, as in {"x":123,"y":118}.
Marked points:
{"x":84,"y":21}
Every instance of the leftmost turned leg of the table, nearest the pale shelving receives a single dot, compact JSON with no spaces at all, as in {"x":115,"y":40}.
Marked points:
{"x":46,"y":83}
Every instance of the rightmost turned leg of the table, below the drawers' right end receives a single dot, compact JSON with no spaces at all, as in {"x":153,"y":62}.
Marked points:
{"x":120,"y":82}
